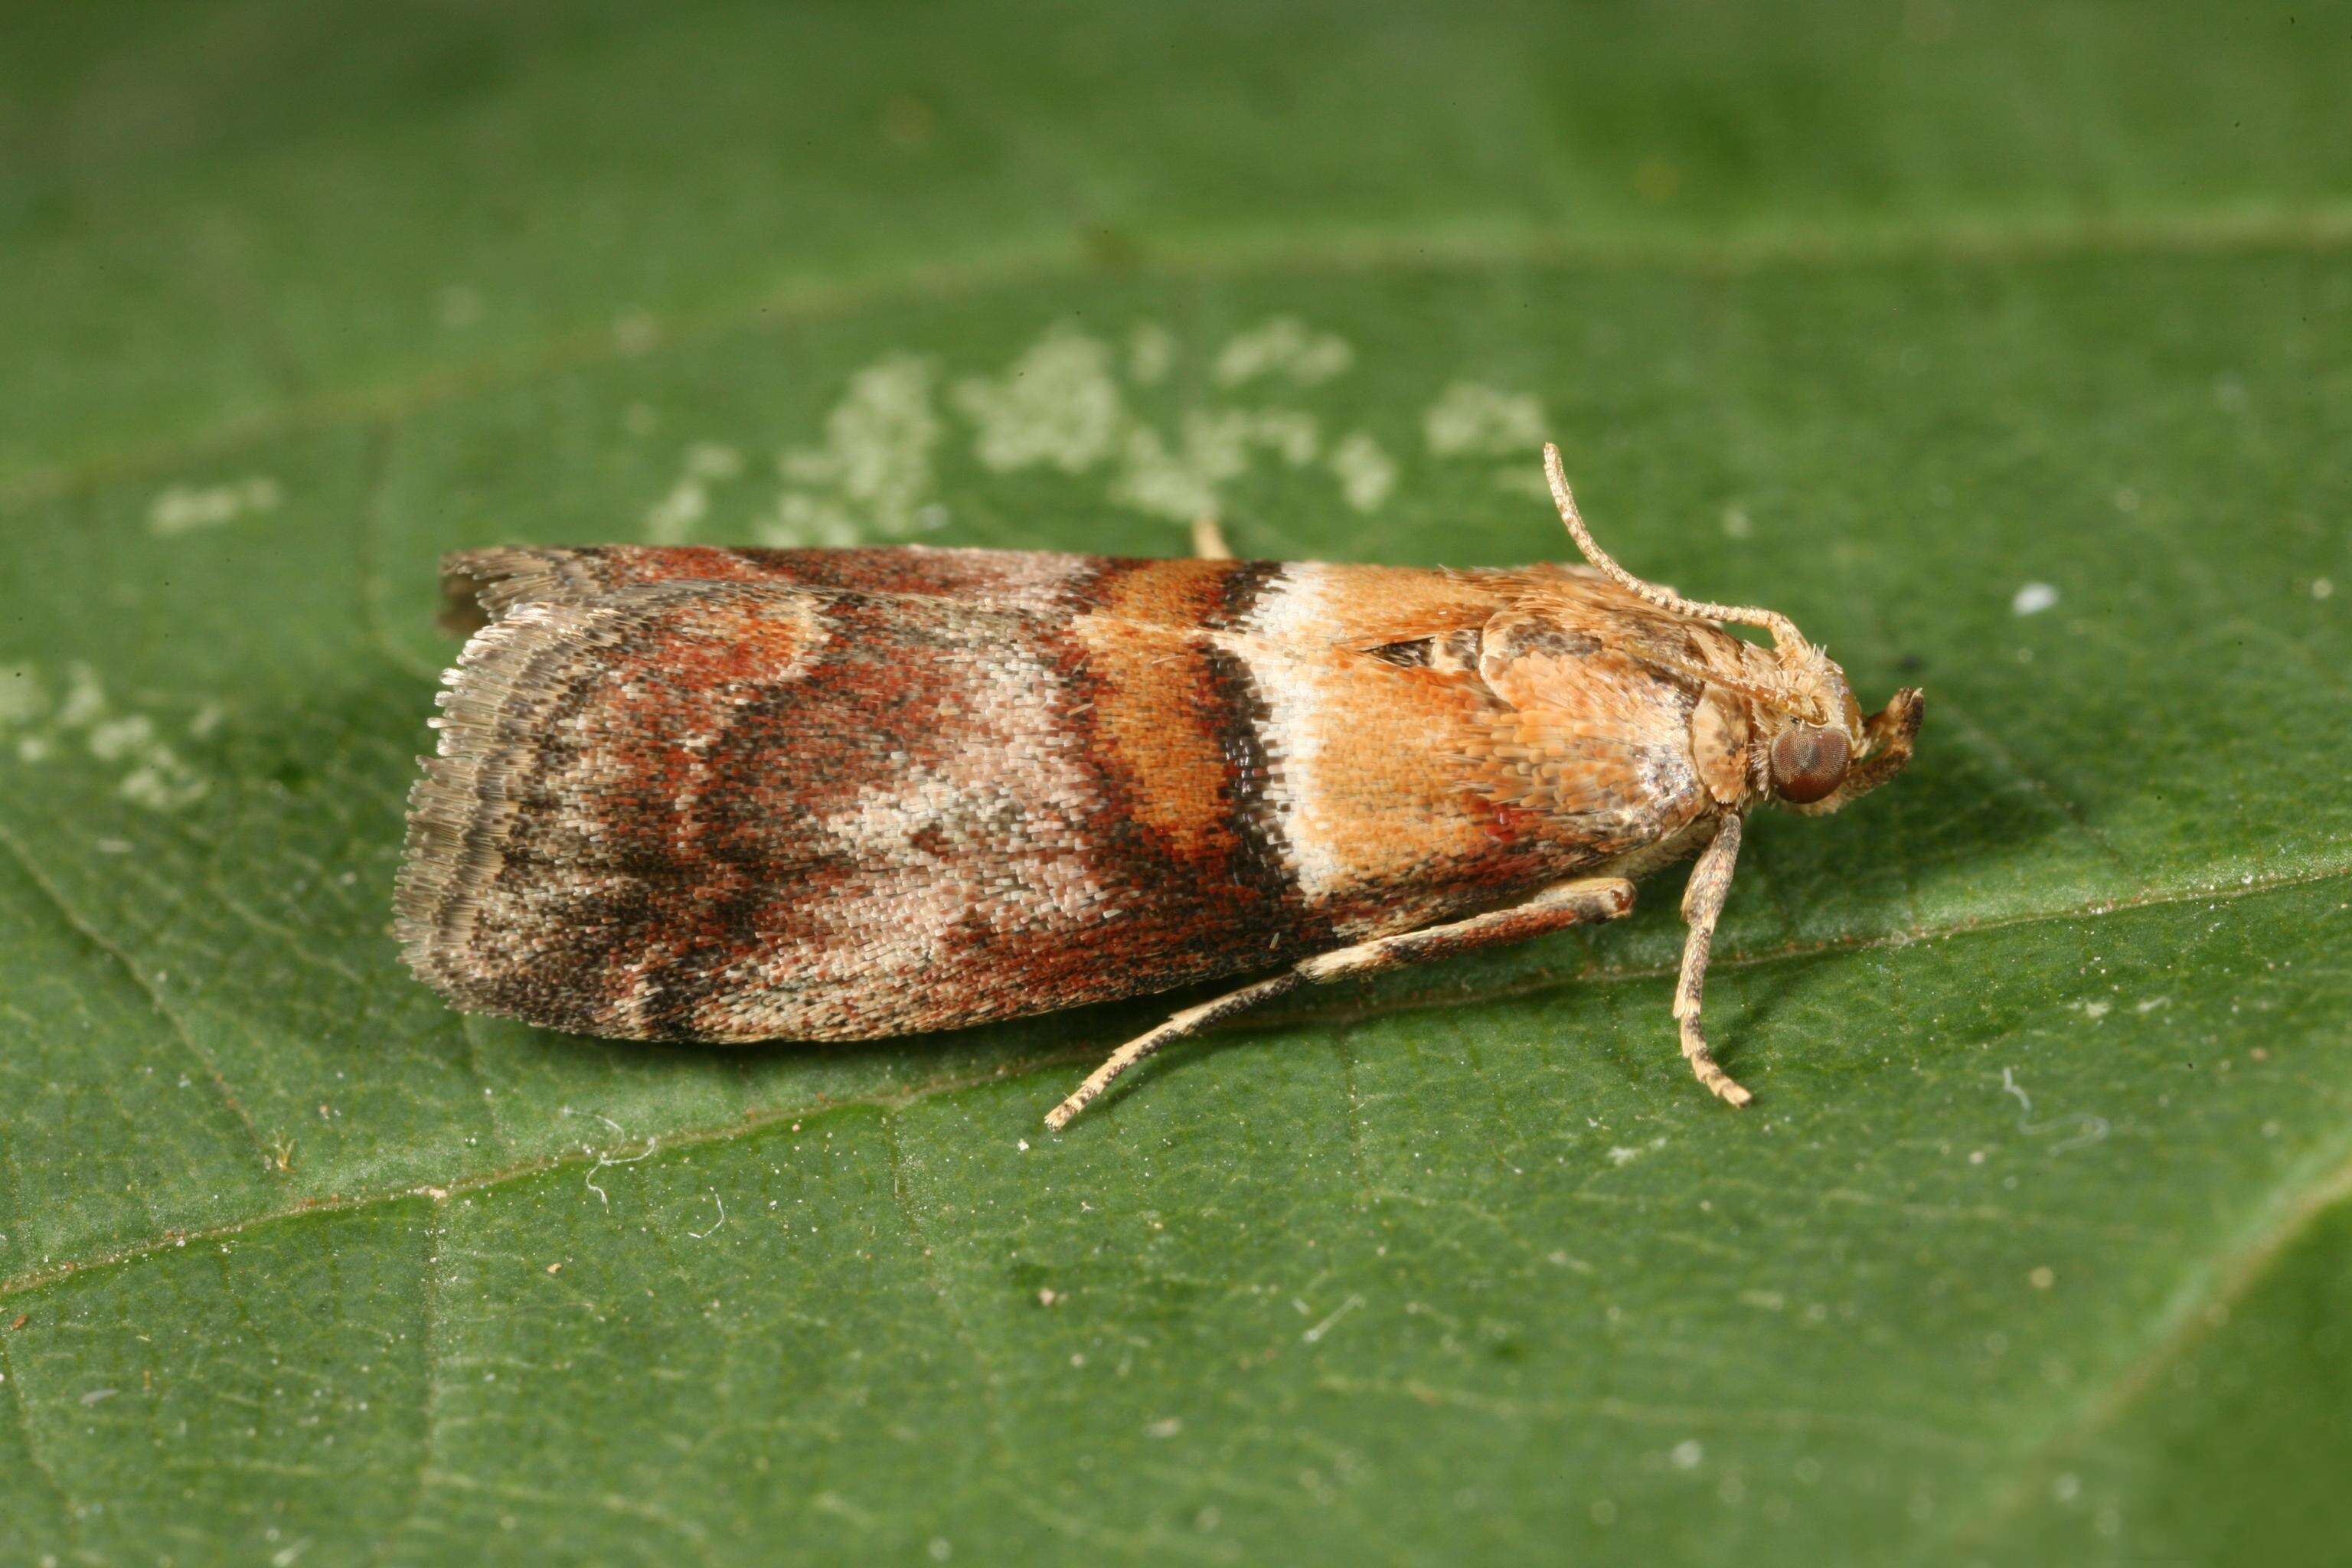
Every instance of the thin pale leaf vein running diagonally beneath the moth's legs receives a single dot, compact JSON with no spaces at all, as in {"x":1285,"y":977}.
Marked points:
{"x":754,"y":1123}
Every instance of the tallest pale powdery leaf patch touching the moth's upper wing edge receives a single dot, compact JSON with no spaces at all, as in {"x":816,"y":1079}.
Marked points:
{"x":874,"y":474}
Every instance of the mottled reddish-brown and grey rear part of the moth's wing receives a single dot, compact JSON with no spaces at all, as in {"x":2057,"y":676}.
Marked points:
{"x":737,"y":812}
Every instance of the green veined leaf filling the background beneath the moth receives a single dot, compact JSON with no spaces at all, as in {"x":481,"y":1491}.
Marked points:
{"x":2007,"y":354}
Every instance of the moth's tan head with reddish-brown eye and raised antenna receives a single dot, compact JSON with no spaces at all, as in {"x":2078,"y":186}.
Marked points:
{"x":1810,"y":744}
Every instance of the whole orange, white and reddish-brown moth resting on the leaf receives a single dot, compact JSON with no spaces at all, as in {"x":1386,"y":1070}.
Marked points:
{"x":730,"y":796}
